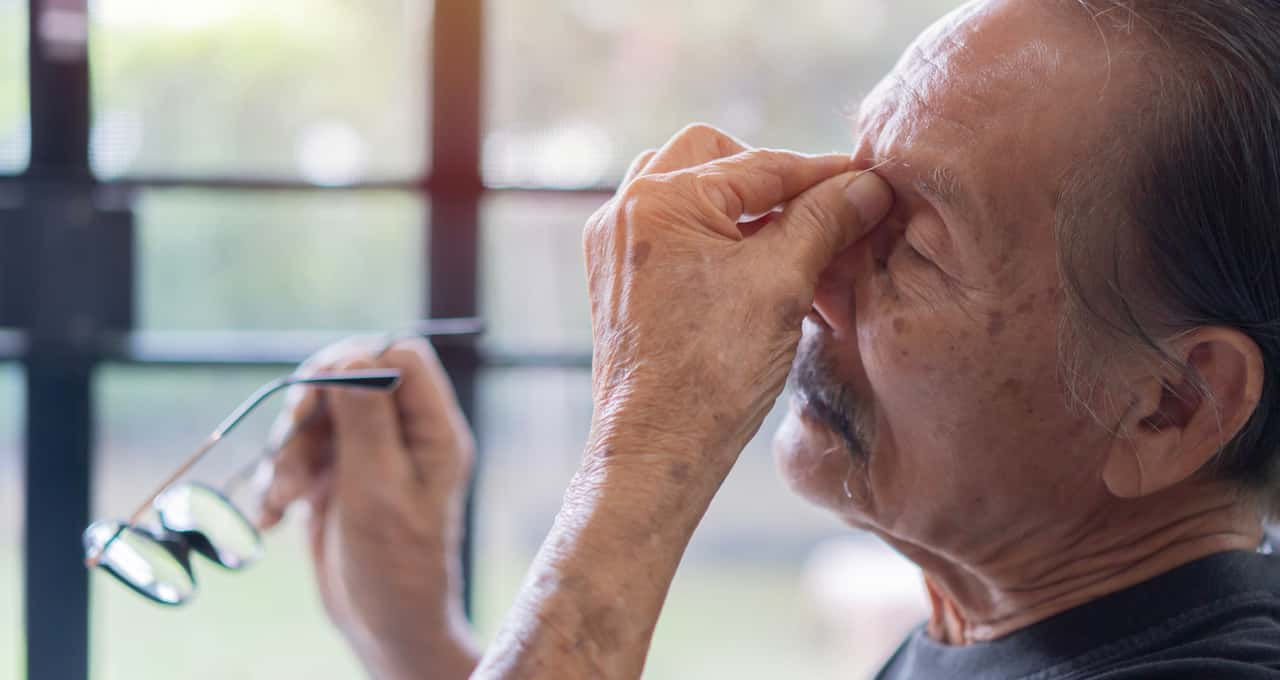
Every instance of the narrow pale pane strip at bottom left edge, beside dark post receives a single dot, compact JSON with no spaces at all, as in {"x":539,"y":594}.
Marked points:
{"x":13,"y":651}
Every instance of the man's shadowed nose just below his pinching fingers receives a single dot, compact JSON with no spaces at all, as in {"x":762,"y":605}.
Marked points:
{"x":835,"y":298}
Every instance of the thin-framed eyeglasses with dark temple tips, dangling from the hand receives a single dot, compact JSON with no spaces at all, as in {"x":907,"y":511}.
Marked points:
{"x":195,"y":518}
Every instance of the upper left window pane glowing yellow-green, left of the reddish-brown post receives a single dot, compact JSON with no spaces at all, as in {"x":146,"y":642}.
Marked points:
{"x":327,"y":92}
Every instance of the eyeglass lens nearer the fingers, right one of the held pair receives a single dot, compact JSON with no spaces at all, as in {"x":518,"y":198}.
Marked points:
{"x":212,"y":526}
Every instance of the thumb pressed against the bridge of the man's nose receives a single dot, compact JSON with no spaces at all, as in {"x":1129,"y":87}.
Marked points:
{"x":830,"y":217}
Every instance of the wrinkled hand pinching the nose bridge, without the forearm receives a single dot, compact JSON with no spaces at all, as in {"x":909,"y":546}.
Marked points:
{"x":697,"y":317}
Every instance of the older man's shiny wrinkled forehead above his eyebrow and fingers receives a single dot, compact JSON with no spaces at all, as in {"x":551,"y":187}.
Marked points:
{"x":1005,"y":98}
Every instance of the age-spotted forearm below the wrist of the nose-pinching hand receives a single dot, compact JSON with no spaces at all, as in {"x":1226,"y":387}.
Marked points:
{"x":592,"y":600}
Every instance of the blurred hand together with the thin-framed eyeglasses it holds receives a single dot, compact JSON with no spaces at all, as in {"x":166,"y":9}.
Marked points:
{"x":385,"y":472}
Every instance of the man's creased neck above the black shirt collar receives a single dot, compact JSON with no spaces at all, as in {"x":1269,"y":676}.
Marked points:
{"x":986,"y":596}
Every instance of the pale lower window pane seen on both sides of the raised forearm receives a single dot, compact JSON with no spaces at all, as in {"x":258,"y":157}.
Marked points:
{"x":770,"y":587}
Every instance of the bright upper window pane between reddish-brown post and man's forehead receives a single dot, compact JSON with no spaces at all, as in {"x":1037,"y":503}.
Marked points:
{"x":577,"y":89}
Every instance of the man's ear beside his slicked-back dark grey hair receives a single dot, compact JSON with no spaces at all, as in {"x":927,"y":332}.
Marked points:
{"x":1173,"y":428}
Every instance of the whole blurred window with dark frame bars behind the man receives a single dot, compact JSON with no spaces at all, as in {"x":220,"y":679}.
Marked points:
{"x":252,"y":171}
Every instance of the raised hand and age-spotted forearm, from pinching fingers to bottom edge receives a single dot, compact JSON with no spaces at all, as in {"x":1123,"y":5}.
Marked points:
{"x":696,"y":321}
